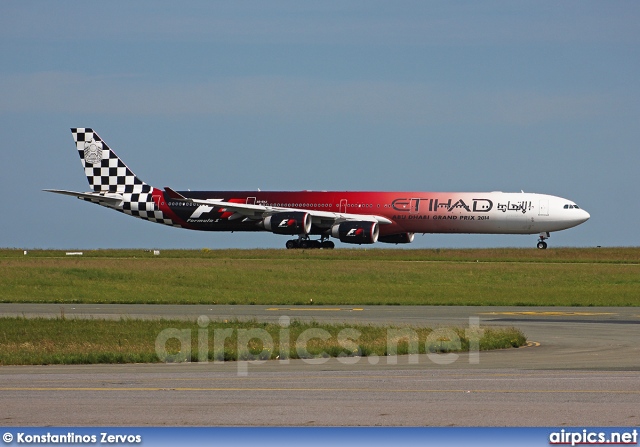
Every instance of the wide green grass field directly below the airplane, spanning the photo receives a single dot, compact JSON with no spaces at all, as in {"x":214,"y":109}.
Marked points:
{"x":506,"y":277}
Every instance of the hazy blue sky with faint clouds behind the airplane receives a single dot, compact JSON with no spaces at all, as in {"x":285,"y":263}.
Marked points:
{"x":289,"y":95}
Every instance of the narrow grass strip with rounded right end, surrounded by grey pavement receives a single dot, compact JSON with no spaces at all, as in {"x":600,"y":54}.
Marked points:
{"x":44,"y":341}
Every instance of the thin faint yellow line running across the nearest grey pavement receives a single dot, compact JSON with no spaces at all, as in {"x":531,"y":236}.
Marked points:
{"x":340,"y":390}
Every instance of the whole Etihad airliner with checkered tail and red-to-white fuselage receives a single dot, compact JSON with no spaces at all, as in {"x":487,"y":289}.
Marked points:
{"x":352,"y":217}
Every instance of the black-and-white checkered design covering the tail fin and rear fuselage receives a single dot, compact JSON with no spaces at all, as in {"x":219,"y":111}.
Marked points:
{"x":107,"y":173}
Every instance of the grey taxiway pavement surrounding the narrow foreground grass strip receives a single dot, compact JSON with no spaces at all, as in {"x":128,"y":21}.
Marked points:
{"x":582,"y":368}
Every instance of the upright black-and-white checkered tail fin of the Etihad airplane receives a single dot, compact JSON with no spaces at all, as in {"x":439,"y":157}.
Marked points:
{"x":104,"y":170}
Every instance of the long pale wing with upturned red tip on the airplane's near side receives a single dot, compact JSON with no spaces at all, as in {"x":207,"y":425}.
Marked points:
{"x":259,"y":212}
